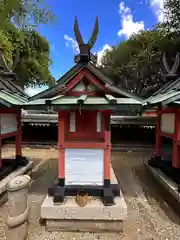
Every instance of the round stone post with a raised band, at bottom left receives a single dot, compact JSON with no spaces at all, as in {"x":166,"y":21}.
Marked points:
{"x":18,"y":210}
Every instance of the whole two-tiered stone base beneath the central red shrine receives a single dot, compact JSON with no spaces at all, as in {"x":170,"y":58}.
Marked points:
{"x":94,"y":217}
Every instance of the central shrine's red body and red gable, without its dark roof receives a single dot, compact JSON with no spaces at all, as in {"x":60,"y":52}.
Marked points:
{"x":87,"y":128}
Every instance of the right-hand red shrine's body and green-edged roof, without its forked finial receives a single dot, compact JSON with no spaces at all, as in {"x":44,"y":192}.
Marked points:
{"x":167,"y":104}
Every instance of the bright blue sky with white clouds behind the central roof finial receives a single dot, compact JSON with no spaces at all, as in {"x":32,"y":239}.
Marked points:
{"x":117,"y":20}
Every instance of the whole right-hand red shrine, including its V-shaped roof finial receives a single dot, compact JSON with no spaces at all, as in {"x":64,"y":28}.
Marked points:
{"x":166,"y":101}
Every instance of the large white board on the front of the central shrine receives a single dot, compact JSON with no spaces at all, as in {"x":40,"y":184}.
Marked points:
{"x":84,"y":167}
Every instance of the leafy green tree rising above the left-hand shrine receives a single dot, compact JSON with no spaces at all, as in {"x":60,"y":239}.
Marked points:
{"x":25,"y":50}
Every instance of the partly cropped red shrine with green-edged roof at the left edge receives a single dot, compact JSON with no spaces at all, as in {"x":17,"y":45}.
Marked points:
{"x":11,"y":97}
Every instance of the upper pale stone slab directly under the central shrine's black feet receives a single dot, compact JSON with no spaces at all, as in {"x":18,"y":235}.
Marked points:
{"x":95,"y":209}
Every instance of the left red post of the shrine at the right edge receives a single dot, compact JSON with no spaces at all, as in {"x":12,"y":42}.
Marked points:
{"x":158,"y":150}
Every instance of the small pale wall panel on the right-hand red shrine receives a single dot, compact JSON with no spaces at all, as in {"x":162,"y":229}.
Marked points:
{"x":168,"y":123}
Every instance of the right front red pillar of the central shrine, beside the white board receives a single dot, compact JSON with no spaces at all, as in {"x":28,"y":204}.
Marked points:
{"x":107,"y":150}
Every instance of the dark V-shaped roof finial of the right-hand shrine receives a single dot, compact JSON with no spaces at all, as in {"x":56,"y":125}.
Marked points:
{"x":173,"y":71}
